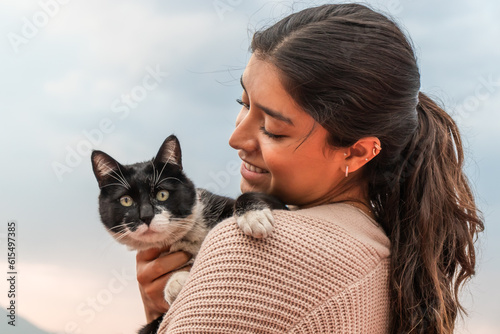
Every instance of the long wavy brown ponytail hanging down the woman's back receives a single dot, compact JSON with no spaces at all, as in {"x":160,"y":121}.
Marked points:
{"x":432,"y":221}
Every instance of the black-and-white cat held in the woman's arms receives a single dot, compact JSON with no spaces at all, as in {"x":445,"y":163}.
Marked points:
{"x":153,"y":204}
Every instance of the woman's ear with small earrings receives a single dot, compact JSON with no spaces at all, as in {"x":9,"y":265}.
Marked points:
{"x":361,"y":152}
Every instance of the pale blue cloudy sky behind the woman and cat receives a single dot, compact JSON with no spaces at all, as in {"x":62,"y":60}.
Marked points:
{"x":120,"y":76}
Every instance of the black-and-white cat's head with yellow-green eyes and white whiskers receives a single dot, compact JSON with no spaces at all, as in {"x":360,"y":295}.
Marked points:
{"x":147,"y":204}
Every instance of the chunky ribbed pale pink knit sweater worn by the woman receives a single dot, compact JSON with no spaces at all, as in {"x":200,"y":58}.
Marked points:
{"x":323,"y":270}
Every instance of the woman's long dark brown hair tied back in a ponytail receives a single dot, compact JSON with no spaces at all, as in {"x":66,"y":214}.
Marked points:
{"x":355,"y":73}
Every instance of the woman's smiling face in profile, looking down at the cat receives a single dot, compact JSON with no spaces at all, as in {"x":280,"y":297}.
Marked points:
{"x":284,"y":152}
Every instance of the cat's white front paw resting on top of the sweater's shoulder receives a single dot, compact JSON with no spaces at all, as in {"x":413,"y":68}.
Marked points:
{"x":256,"y":223}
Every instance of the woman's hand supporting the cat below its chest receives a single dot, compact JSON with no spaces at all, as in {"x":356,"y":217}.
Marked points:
{"x":153,"y":272}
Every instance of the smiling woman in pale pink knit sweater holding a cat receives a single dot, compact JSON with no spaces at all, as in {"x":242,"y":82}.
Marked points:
{"x":332,"y":121}
